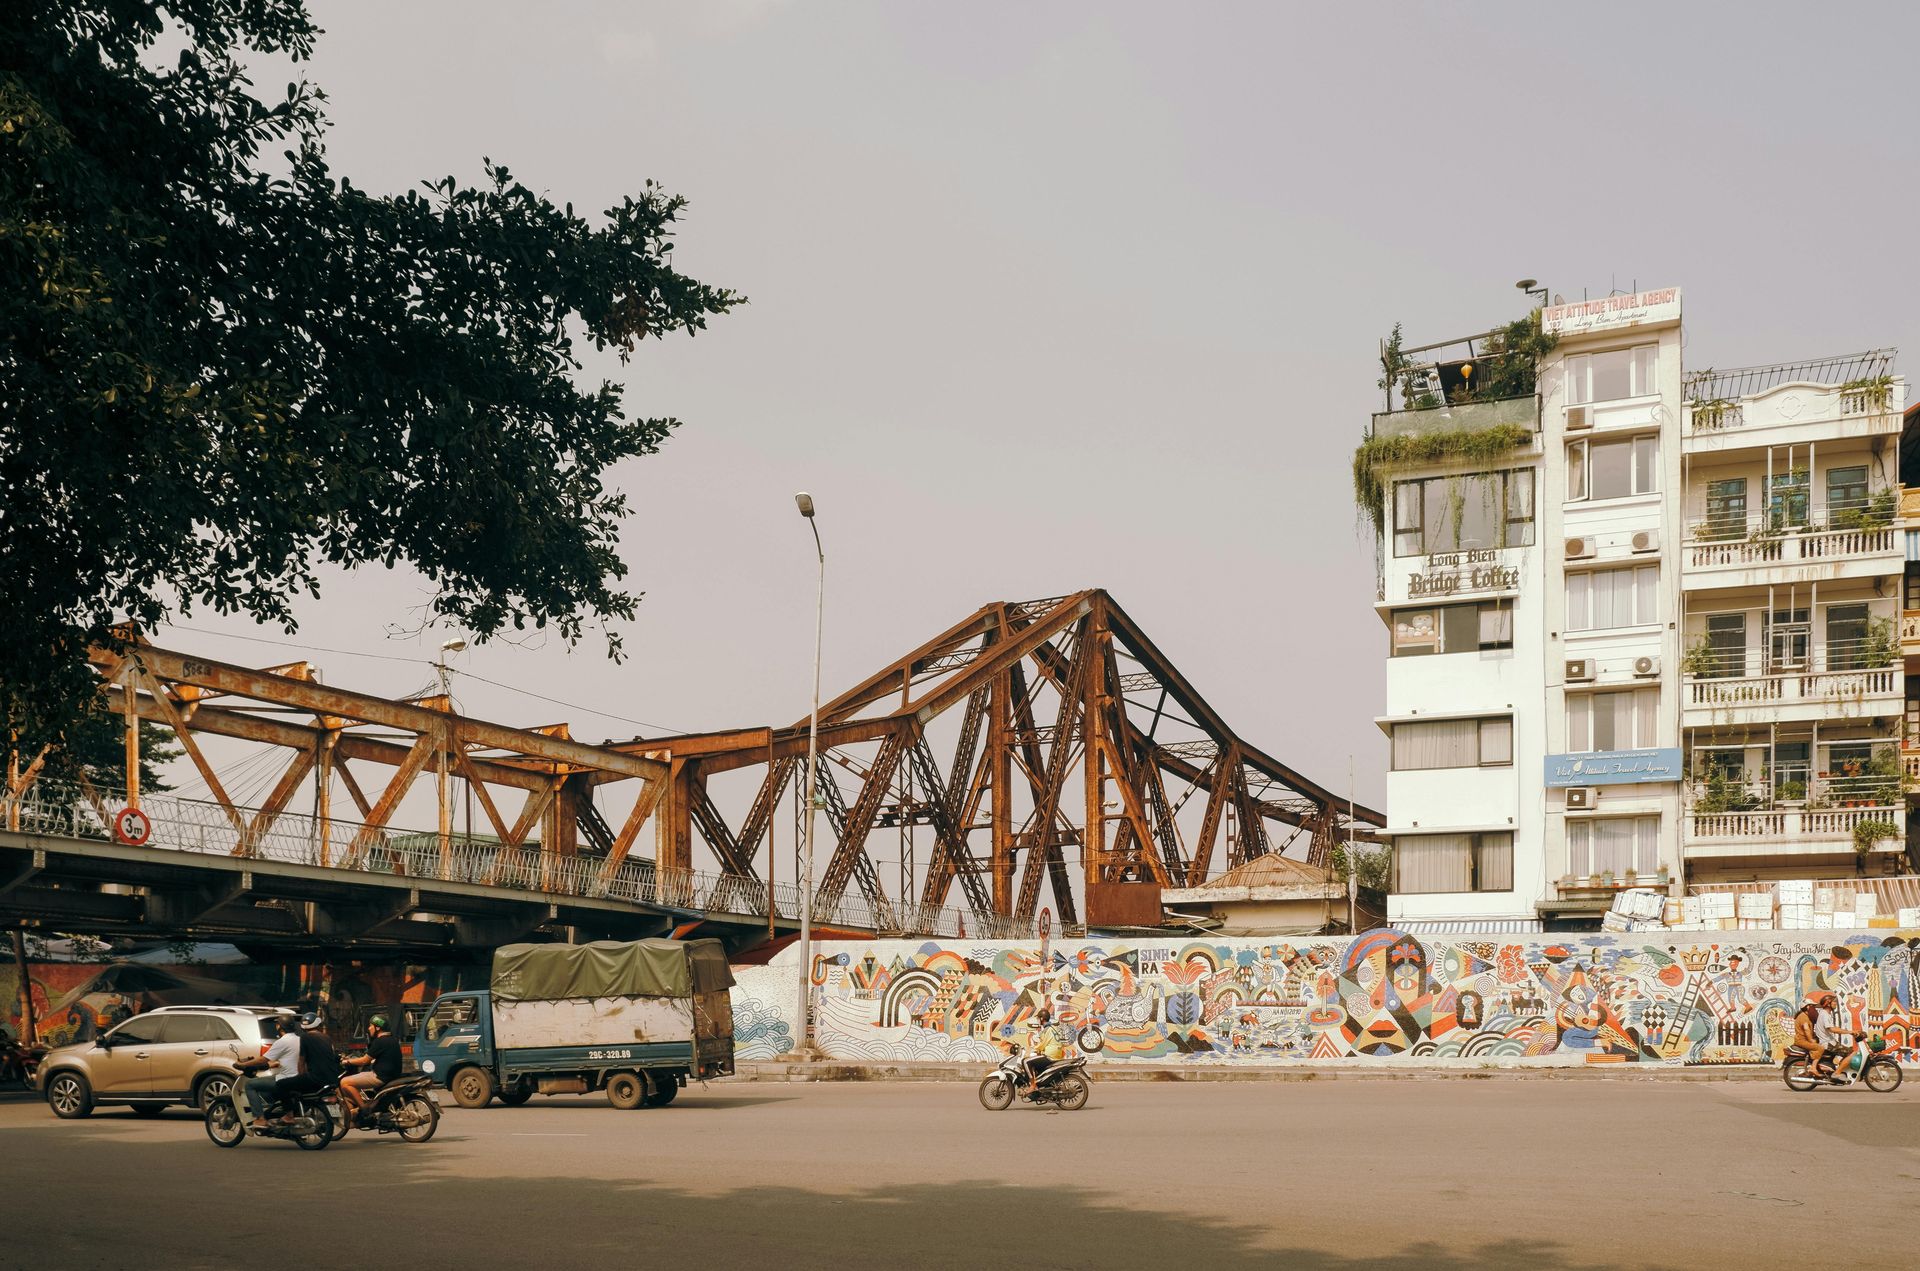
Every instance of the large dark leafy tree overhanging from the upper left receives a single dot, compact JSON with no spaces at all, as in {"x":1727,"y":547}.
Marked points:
{"x":222,"y":370}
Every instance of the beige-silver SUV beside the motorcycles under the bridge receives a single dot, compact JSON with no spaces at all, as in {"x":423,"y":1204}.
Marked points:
{"x":176,"y":1055}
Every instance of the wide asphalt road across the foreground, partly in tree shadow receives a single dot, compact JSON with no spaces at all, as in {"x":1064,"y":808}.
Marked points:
{"x":1303,"y":1174}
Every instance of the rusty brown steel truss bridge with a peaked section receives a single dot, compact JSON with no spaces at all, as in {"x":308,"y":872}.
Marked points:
{"x":1034,"y":752}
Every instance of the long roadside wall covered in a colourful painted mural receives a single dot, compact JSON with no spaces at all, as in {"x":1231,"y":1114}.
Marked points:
{"x":1721,"y":997}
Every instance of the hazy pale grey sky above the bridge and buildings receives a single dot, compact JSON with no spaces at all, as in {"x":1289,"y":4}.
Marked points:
{"x":1055,"y":297}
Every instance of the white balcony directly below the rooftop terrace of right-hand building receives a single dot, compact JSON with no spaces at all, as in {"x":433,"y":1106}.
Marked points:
{"x":1752,"y":554}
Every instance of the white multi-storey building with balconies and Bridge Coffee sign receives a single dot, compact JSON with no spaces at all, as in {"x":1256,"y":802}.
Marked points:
{"x":1650,"y":636}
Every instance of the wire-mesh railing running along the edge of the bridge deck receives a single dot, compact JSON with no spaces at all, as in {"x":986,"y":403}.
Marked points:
{"x":300,"y":840}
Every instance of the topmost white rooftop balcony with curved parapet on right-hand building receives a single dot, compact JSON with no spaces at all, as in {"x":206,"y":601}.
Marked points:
{"x":1792,"y":404}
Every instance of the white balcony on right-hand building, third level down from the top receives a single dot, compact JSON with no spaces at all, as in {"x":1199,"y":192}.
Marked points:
{"x":1831,"y":683}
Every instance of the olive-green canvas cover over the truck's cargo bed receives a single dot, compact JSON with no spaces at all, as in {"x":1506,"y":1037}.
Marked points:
{"x":610,"y":969}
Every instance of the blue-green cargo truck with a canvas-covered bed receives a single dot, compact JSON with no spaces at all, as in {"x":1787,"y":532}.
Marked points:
{"x":631,"y":1019}
